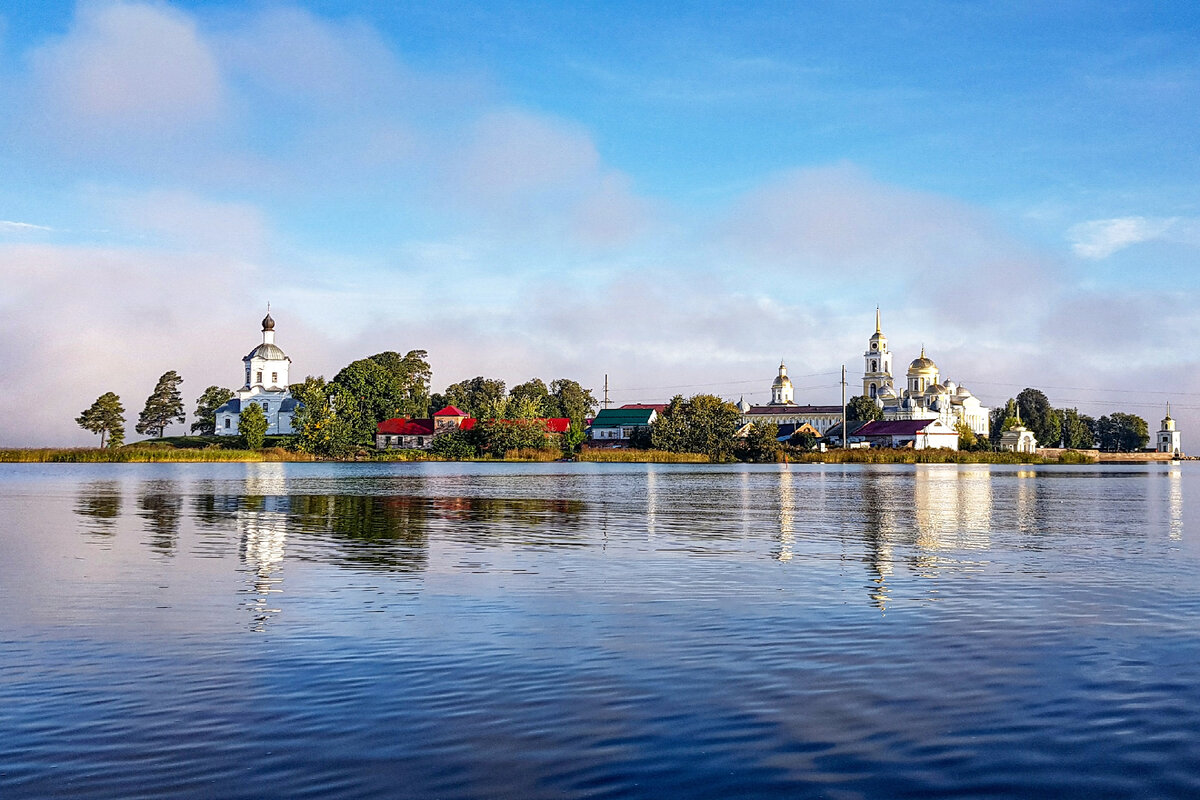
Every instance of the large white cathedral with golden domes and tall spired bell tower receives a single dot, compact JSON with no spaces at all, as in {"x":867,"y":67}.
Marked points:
{"x":925,"y":396}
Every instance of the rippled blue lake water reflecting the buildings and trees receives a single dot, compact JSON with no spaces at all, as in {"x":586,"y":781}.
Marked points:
{"x":599,"y":630}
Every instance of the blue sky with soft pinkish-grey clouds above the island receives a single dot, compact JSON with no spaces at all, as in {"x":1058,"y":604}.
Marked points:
{"x":677,"y":199}
